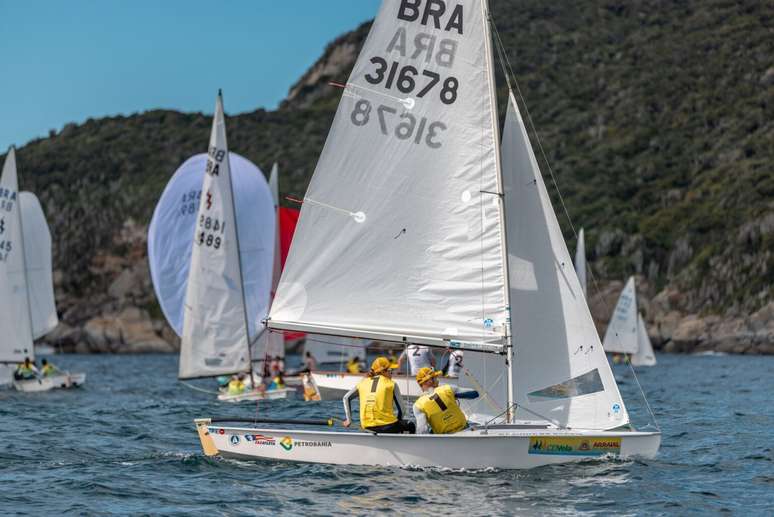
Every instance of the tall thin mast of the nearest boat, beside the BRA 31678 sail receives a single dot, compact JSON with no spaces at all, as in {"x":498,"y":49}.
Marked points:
{"x":501,"y":194}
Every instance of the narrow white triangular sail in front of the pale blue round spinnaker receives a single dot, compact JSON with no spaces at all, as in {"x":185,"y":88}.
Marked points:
{"x":215,"y":334}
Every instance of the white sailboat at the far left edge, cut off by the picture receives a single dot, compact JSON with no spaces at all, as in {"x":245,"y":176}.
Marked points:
{"x":27,"y":288}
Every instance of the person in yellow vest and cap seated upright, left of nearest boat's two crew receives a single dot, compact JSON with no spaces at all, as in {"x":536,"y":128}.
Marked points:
{"x":378,"y":393}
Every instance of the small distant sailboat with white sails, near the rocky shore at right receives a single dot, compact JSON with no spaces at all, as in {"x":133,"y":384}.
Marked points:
{"x":626,"y":333}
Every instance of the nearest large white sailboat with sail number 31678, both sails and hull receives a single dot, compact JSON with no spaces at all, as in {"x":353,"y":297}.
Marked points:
{"x":419,"y":226}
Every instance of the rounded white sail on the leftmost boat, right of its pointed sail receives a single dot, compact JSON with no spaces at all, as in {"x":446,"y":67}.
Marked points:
{"x":37,"y":253}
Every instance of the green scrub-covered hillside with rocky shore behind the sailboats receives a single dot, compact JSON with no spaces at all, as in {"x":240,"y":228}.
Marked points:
{"x":657,"y":118}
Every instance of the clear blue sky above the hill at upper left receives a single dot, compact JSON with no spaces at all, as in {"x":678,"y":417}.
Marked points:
{"x":66,"y":61}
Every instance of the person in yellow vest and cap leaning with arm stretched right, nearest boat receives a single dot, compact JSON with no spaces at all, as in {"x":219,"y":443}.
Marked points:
{"x":437,"y":408}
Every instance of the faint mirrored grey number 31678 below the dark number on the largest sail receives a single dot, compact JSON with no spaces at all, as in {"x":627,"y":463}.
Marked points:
{"x":407,"y":128}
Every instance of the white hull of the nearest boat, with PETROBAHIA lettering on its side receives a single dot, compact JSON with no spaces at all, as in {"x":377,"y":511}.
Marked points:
{"x":505,"y":447}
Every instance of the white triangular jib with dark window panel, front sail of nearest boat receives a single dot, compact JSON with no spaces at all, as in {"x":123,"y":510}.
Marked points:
{"x":560,"y":368}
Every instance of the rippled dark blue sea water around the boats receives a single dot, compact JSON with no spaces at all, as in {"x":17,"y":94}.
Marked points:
{"x":125,"y":444}
